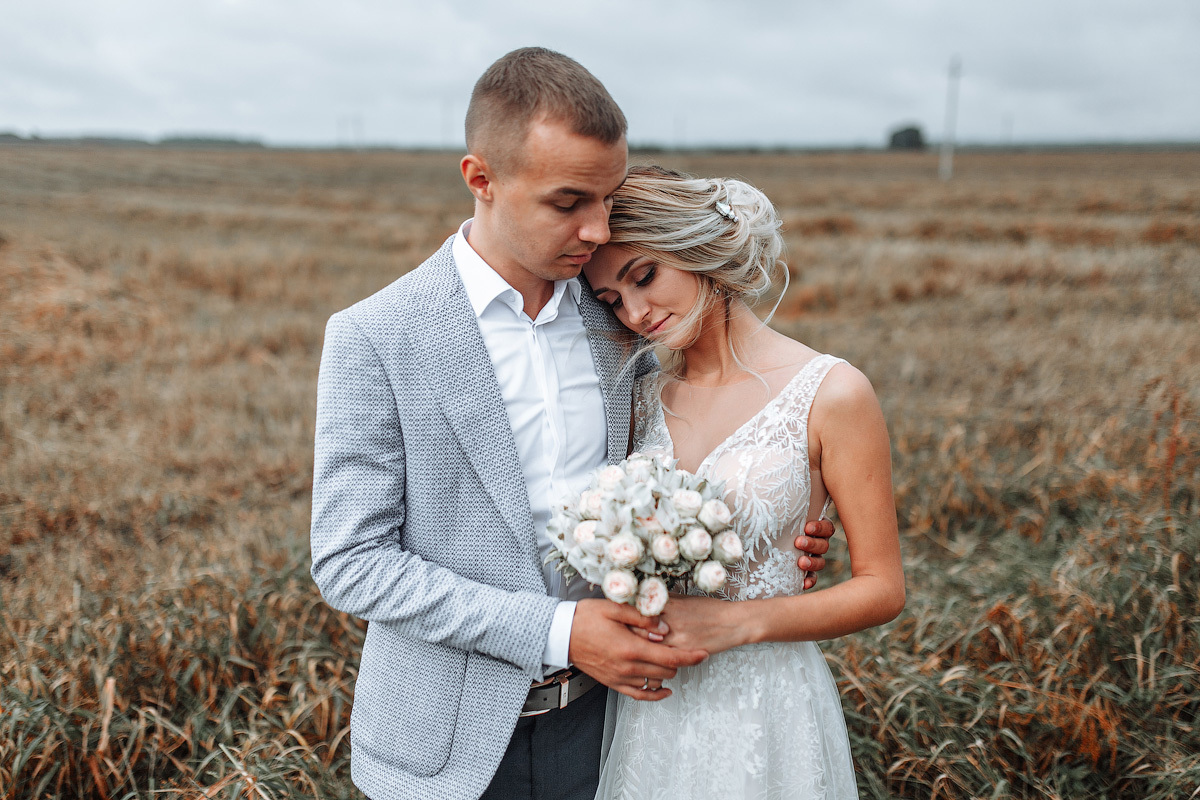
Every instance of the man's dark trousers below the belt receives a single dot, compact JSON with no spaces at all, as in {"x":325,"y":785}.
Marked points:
{"x":554,"y":756}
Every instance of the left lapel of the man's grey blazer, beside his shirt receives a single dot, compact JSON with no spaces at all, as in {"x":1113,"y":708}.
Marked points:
{"x":459,"y":370}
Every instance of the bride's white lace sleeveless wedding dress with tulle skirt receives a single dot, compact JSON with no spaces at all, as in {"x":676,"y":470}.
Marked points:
{"x":758,"y":721}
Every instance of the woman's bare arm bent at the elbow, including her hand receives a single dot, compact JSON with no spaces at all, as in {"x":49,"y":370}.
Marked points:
{"x":849,"y":442}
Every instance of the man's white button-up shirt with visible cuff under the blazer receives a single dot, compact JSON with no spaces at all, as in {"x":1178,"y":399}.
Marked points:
{"x":553,"y":395}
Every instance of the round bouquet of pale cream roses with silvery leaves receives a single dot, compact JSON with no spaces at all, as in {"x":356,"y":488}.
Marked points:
{"x":644,"y":527}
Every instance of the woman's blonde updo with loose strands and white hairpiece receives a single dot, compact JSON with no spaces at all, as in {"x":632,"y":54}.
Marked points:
{"x":723,"y":231}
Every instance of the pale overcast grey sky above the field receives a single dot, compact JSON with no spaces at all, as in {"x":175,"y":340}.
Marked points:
{"x":806,"y":73}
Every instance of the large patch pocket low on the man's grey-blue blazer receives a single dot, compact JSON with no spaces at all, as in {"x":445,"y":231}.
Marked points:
{"x":406,"y":701}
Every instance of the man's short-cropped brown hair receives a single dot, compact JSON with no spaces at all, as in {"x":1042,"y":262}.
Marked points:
{"x":530,"y":83}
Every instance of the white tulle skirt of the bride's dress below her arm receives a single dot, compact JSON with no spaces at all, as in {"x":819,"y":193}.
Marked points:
{"x":760,"y":721}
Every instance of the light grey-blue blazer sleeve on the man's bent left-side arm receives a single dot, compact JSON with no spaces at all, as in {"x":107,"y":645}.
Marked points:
{"x":359,"y":512}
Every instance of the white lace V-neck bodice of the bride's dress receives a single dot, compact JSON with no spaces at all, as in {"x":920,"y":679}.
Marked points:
{"x":765,"y":466}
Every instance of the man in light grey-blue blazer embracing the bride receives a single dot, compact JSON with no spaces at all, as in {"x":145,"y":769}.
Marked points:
{"x":453,"y":407}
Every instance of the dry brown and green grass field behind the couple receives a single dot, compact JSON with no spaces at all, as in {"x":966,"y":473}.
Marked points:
{"x":1030,"y":327}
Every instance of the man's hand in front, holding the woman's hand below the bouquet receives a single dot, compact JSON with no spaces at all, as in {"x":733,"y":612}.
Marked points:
{"x":604,"y":647}
